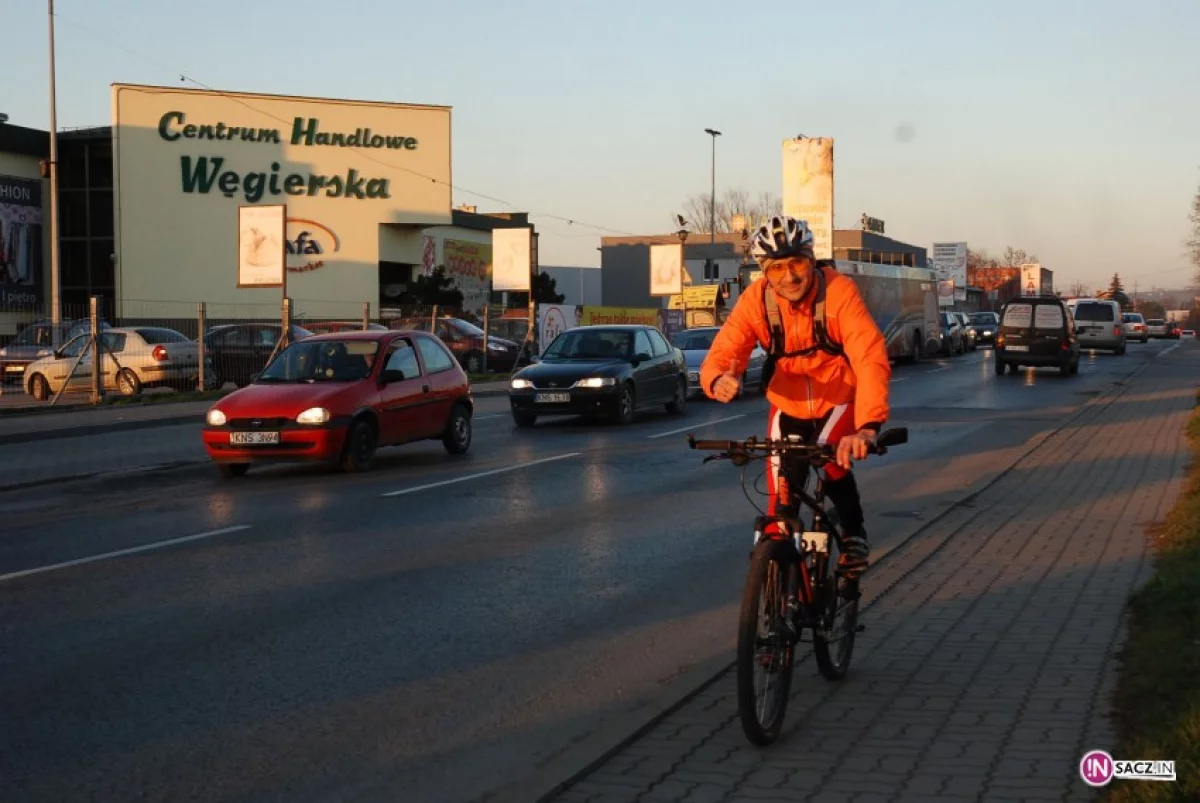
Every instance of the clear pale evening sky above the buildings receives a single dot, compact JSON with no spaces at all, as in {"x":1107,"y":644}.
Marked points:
{"x":1070,"y":129}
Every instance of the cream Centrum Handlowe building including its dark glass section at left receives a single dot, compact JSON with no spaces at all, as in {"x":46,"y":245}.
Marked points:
{"x":149,"y":206}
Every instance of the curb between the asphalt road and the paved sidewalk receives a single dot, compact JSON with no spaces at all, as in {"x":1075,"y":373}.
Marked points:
{"x":593,"y":751}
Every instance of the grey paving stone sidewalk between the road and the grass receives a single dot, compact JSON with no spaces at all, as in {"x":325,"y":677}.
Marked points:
{"x":987,"y":666}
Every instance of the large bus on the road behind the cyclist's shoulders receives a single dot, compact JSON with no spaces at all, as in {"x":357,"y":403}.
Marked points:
{"x":903,"y":301}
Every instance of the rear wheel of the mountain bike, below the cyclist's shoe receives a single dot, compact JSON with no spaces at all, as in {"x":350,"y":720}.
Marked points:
{"x":837,"y":602}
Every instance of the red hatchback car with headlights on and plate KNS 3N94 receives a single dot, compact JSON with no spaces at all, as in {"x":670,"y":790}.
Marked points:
{"x":338,"y":398}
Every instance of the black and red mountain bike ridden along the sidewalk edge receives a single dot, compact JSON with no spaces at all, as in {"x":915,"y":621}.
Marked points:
{"x":795,"y":583}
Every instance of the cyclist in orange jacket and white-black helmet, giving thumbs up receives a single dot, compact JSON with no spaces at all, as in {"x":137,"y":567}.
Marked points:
{"x":814,"y":392}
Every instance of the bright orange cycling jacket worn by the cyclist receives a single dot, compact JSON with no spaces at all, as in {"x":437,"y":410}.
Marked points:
{"x":809,"y":387}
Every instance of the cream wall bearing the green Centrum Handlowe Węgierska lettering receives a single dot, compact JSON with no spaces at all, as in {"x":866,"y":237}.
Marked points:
{"x":181,"y":179}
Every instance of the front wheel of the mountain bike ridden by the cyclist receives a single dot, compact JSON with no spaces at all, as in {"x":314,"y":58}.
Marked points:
{"x":766,"y":648}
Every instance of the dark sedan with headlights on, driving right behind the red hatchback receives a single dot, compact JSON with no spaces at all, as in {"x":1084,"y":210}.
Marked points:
{"x":605,"y":371}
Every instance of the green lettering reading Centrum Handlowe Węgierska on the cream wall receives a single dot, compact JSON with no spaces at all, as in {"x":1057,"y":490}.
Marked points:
{"x":201,"y":175}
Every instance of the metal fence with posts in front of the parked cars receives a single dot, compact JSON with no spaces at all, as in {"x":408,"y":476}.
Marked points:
{"x":158,"y":345}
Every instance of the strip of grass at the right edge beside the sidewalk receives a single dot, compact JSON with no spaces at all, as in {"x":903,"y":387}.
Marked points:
{"x":1159,"y":691}
